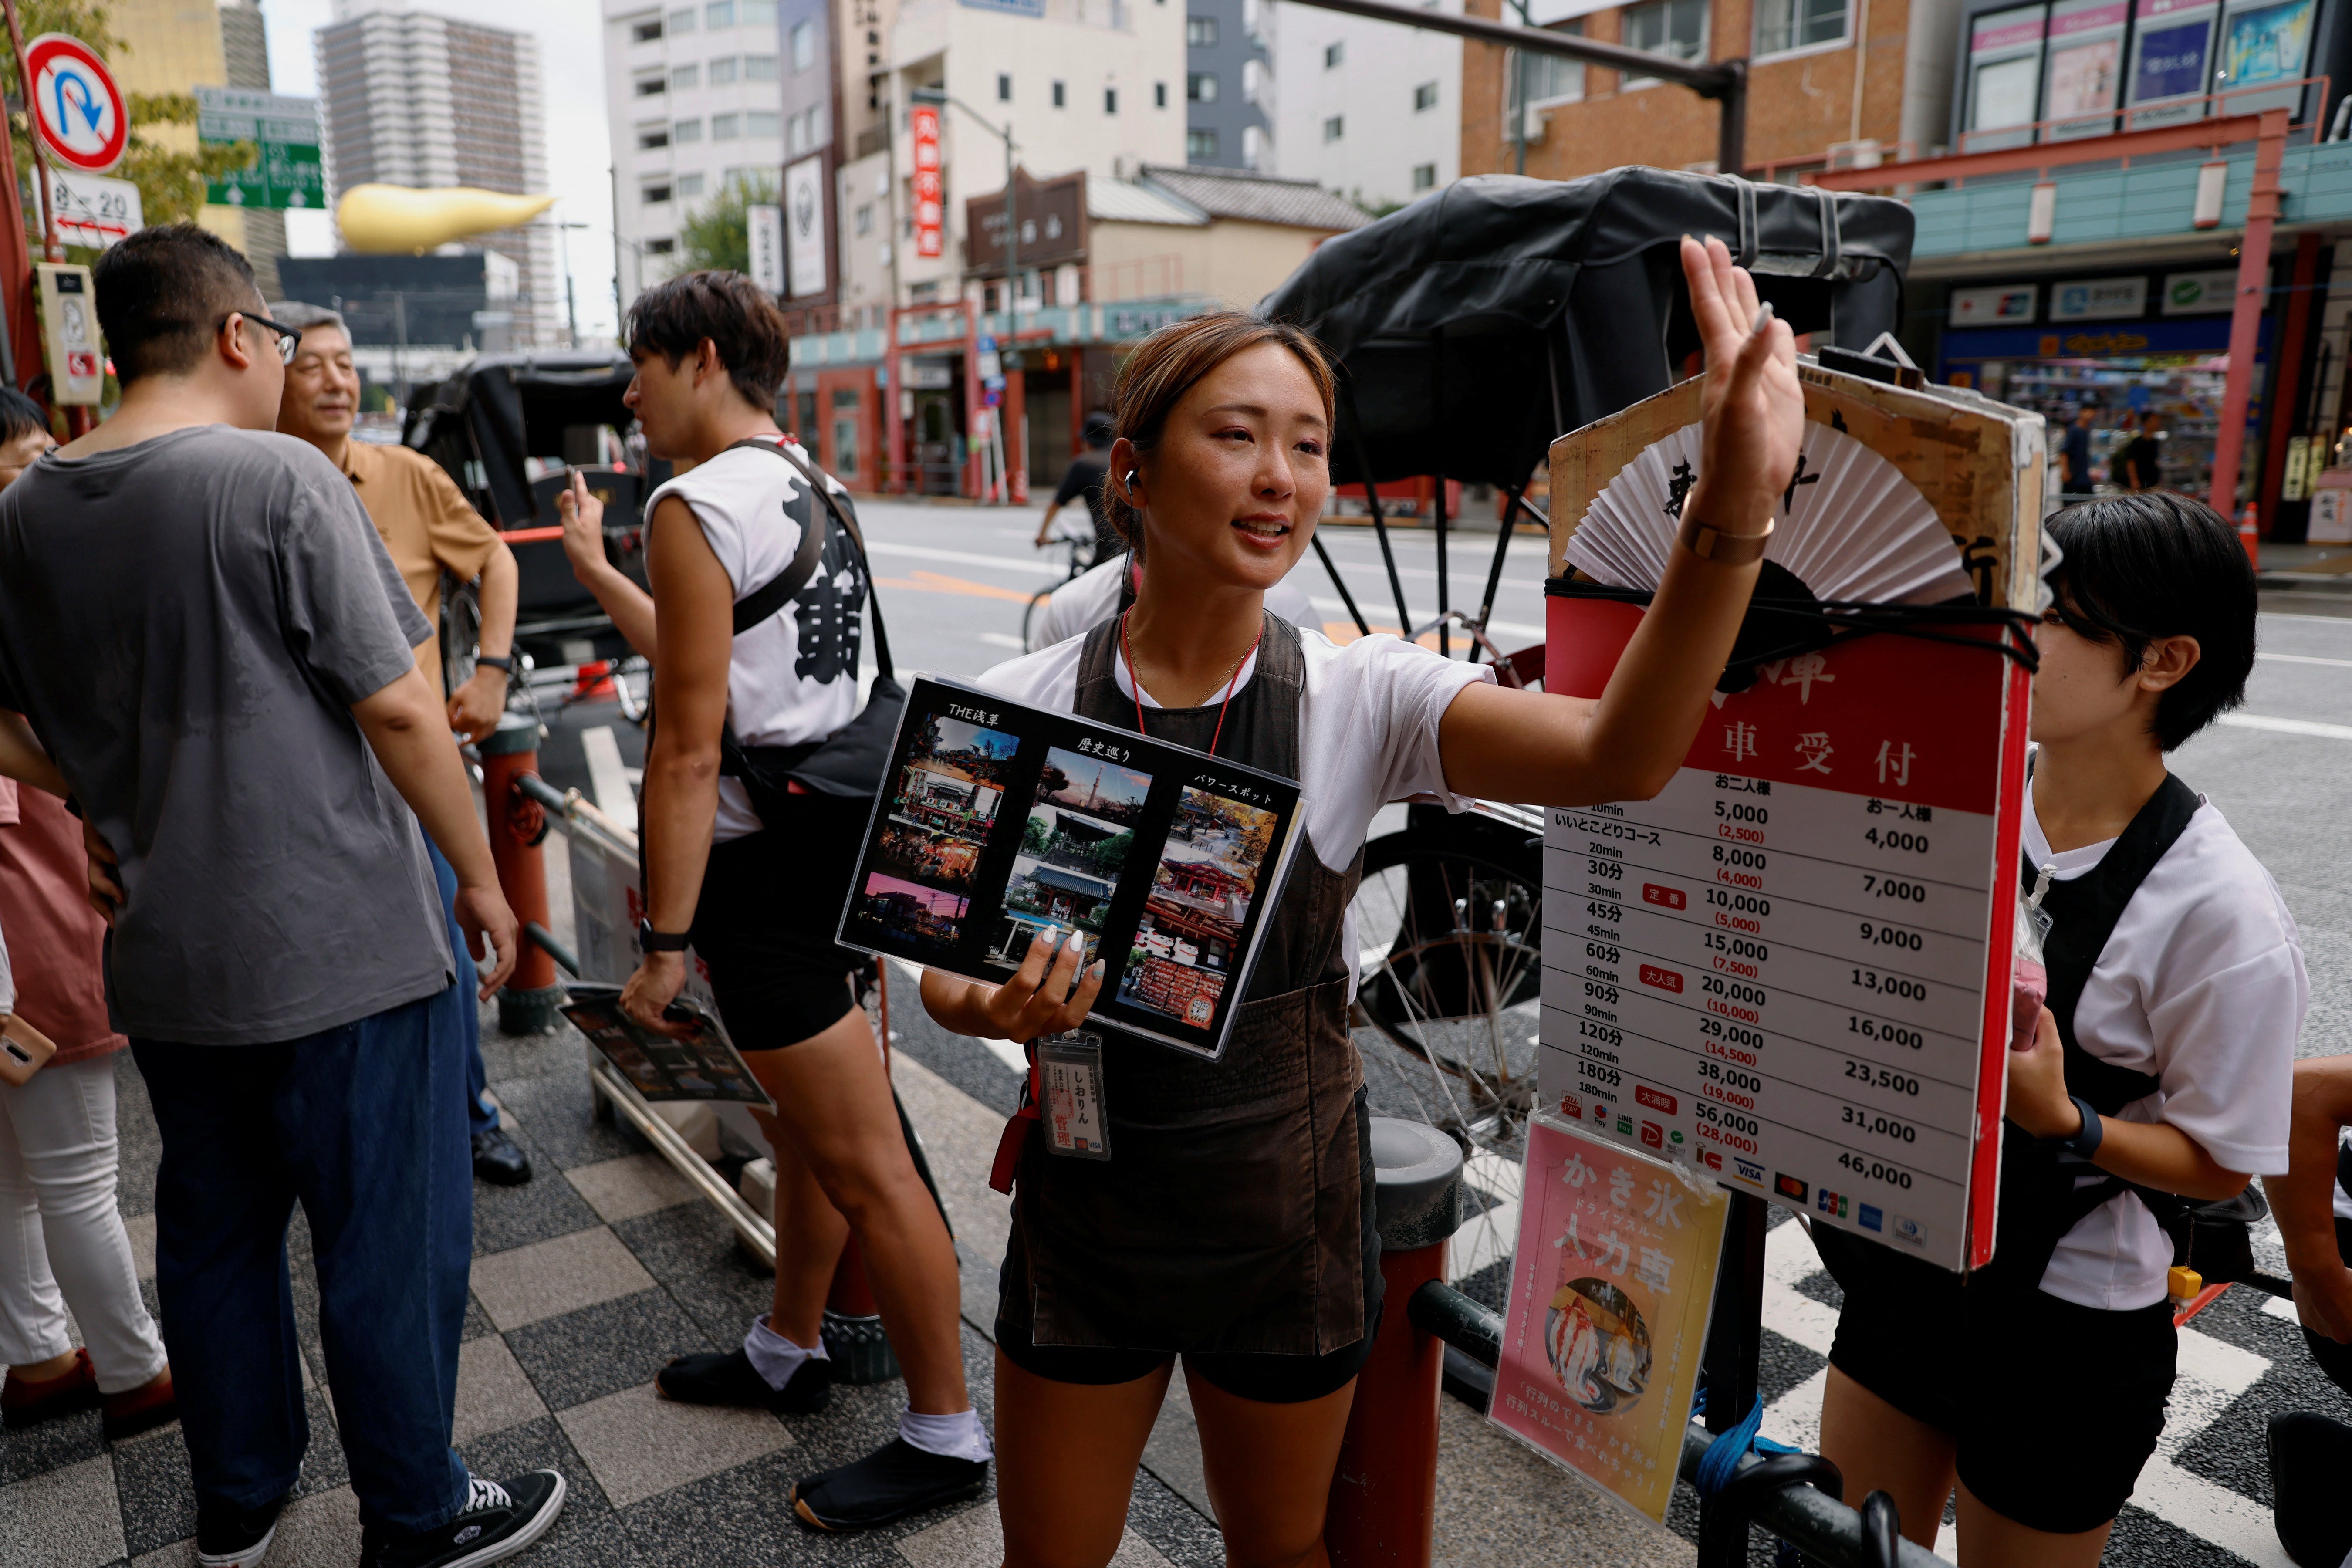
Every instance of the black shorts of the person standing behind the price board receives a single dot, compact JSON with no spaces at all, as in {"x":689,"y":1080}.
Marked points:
{"x":2054,"y":1407}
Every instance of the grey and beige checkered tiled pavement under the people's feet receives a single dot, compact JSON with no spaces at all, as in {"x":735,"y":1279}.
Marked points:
{"x":587,"y":1280}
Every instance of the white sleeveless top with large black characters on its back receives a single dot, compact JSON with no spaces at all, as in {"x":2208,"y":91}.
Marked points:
{"x":796,"y":676}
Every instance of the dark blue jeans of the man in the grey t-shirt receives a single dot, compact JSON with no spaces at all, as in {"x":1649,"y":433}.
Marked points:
{"x":363,"y":1127}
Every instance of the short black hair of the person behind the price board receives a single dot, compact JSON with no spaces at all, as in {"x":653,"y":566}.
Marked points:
{"x":2158,"y":565}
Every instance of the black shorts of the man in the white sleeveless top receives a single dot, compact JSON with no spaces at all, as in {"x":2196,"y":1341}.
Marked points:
{"x":773,"y":904}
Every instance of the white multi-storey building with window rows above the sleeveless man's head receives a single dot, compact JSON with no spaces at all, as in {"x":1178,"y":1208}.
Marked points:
{"x":695,"y":102}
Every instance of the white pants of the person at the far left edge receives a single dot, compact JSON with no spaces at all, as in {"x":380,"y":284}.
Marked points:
{"x":62,"y":1240}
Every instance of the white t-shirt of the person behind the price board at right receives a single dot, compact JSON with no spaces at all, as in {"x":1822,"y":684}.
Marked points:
{"x":2200,"y":986}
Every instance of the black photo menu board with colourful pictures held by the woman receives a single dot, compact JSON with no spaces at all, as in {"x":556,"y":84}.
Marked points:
{"x":1001,"y":822}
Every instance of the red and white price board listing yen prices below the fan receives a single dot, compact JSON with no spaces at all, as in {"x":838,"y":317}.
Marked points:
{"x":1791,"y":970}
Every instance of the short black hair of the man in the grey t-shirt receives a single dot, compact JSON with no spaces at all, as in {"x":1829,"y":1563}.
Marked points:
{"x":163,"y":295}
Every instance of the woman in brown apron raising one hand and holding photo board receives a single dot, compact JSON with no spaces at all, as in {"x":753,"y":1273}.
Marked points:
{"x":1234,"y":1221}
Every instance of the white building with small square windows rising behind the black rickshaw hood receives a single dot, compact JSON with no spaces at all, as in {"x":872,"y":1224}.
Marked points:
{"x":1365,"y":109}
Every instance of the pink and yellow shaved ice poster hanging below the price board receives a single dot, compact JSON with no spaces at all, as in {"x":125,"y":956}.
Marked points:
{"x":1608,"y":1315}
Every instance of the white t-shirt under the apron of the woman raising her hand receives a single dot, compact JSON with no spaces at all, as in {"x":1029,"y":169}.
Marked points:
{"x":1368,"y":730}
